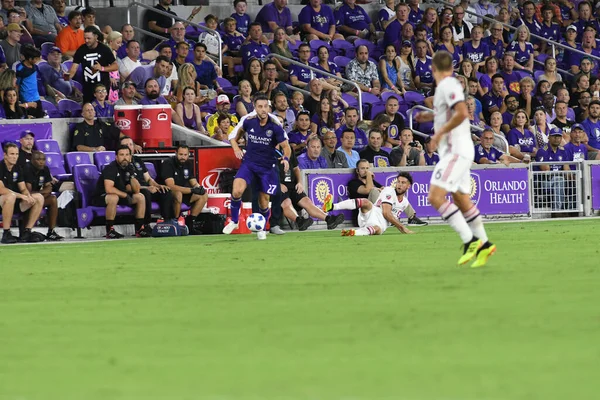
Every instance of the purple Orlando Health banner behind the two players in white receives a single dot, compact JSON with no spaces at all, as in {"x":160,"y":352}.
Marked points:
{"x":494,"y":191}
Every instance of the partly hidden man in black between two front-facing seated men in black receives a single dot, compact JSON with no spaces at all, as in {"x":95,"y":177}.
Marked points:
{"x":151,"y":190}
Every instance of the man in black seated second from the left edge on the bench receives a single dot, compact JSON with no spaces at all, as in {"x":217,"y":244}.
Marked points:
{"x":38,"y":179}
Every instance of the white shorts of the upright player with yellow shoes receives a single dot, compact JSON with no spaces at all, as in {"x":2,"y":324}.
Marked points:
{"x":453,"y":173}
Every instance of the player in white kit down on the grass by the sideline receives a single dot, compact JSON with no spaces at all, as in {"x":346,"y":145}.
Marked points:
{"x":374,"y":219}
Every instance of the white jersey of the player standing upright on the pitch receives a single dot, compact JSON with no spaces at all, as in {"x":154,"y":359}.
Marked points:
{"x":458,"y":141}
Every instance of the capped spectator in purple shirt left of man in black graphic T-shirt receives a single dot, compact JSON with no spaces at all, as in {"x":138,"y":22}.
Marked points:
{"x":53,"y":77}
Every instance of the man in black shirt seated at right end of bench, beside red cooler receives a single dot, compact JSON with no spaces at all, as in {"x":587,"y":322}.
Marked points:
{"x":178,"y":174}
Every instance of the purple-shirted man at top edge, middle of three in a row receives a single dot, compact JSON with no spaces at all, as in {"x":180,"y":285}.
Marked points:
{"x":318,"y":22}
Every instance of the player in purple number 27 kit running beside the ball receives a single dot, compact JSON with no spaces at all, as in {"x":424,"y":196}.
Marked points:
{"x":263,"y":135}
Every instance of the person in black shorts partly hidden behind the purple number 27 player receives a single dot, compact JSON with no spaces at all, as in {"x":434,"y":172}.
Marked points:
{"x":293,"y":196}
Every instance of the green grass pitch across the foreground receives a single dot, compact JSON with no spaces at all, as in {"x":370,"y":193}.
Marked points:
{"x":304,"y":316}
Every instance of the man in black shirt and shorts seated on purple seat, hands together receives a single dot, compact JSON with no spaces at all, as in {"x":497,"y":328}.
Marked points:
{"x":118,"y":186}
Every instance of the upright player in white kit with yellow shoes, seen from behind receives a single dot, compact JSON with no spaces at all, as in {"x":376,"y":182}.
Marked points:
{"x":452,"y":135}
